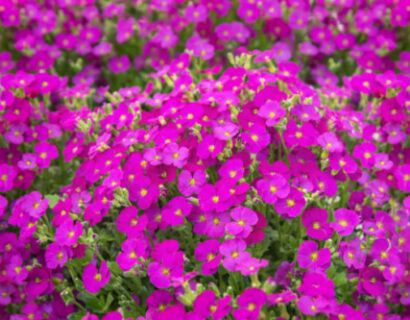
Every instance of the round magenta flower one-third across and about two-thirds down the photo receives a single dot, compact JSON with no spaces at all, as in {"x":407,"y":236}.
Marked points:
{"x":130,"y":223}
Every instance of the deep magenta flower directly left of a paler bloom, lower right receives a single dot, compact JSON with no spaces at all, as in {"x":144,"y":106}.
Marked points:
{"x":315,"y":221}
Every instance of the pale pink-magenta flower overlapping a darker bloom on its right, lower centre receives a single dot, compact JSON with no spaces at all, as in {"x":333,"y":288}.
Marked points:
{"x":245,"y":219}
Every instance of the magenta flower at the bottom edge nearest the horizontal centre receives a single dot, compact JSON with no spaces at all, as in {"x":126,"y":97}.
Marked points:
{"x":206,"y":305}
